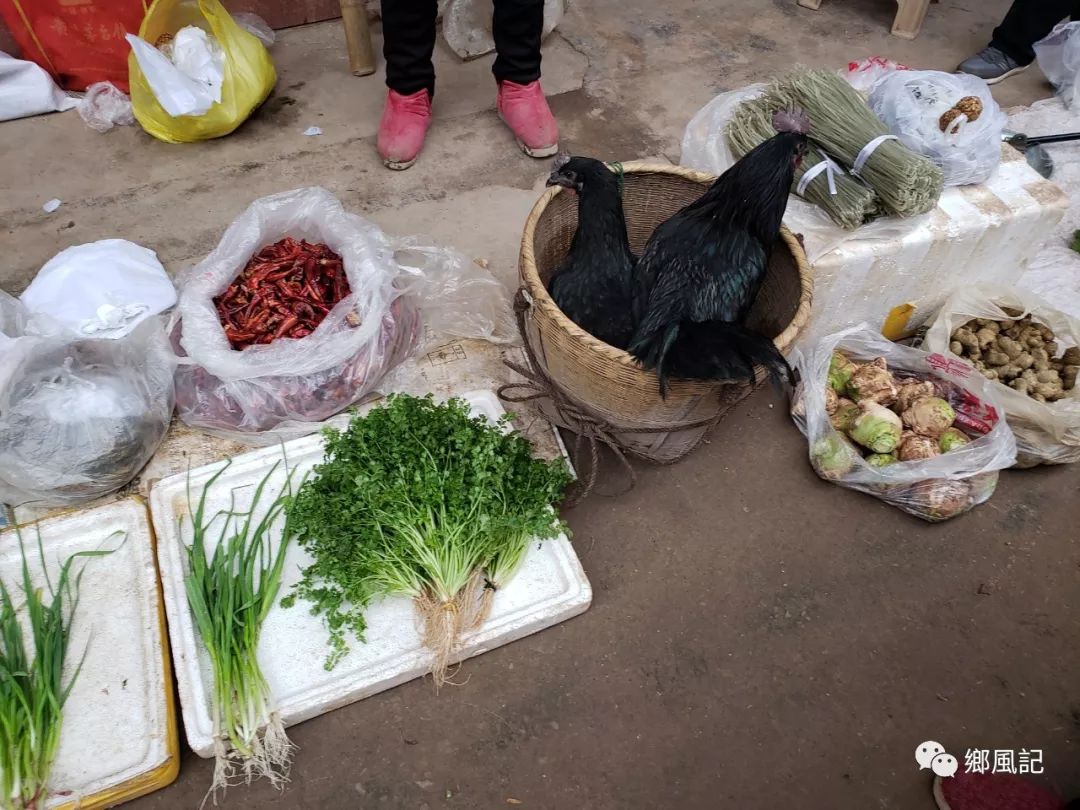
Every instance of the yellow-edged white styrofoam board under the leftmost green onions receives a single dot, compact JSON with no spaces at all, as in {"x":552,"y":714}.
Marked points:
{"x":118,"y":734}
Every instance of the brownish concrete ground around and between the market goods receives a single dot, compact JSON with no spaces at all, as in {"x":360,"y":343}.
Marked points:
{"x":759,"y":639}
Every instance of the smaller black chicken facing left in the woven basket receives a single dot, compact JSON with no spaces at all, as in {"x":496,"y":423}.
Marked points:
{"x":593,"y":286}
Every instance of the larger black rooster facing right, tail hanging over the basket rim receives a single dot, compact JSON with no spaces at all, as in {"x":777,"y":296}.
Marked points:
{"x":701,"y":269}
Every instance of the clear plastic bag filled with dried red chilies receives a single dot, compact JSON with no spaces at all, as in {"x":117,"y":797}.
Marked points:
{"x":302,"y":310}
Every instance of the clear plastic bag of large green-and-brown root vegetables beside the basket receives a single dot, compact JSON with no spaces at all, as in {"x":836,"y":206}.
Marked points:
{"x":921,"y":431}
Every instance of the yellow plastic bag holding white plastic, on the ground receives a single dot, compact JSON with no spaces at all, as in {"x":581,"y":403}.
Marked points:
{"x":250,"y":75}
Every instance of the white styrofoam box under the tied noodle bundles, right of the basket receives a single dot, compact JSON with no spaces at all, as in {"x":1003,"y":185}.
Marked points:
{"x":978,"y":235}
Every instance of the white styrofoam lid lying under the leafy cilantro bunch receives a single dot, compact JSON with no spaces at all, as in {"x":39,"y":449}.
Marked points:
{"x":550,"y":588}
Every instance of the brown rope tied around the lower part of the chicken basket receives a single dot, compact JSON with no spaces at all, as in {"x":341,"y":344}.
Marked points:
{"x":576,"y":417}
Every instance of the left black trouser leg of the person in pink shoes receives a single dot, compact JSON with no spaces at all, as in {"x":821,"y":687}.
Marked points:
{"x":409,"y":38}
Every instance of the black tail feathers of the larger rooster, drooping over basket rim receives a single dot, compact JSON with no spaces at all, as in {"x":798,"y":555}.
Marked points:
{"x":719,"y":350}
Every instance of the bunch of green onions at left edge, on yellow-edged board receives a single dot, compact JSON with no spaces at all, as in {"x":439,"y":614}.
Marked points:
{"x":33,"y":694}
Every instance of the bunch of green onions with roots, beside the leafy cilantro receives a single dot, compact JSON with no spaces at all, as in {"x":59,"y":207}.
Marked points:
{"x":232,"y":588}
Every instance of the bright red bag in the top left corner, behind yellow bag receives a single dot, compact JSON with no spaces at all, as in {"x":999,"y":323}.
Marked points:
{"x":78,"y":42}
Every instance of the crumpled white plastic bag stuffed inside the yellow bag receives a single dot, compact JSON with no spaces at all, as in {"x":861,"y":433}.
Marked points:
{"x":190,"y":83}
